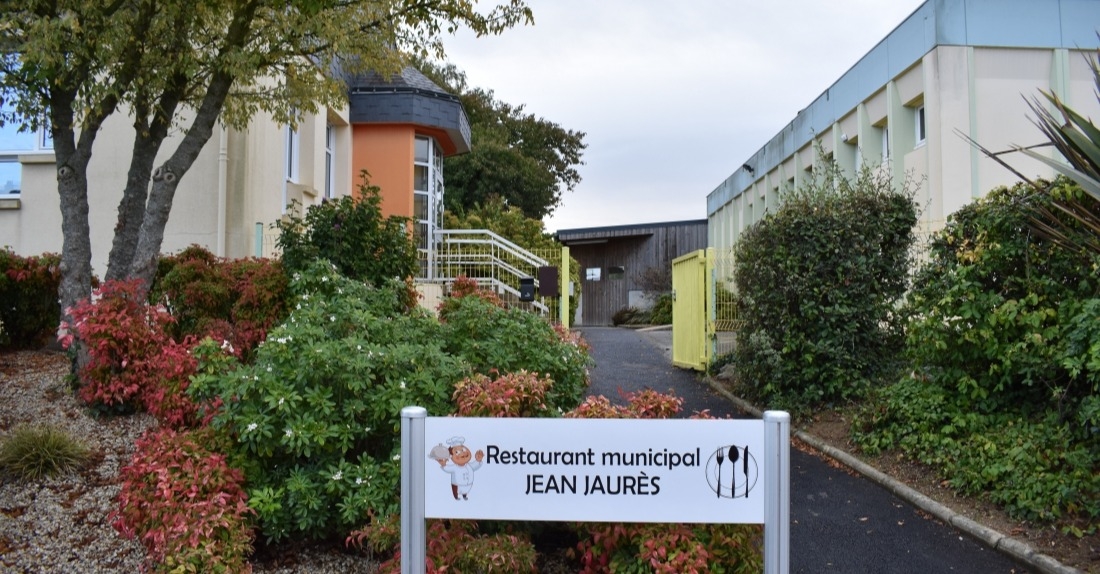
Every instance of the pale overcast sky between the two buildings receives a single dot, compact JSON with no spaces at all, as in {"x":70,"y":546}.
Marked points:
{"x":673,"y":95}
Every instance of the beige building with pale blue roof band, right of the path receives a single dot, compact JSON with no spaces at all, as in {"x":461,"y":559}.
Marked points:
{"x":954,"y":69}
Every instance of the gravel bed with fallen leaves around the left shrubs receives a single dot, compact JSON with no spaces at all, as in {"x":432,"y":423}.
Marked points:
{"x":61,"y":525}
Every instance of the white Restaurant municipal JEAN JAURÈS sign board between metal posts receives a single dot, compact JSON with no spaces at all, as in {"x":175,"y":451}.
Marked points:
{"x":596,"y":470}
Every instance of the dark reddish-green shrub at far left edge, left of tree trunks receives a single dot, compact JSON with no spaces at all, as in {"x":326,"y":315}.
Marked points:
{"x":29,"y":308}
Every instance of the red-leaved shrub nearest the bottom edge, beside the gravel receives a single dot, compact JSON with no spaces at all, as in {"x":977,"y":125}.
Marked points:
{"x":185,"y":504}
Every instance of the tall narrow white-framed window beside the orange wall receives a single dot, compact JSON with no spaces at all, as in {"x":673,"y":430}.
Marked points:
{"x":427,"y":197}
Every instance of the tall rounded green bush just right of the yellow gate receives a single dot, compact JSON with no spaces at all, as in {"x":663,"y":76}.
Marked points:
{"x":818,"y":282}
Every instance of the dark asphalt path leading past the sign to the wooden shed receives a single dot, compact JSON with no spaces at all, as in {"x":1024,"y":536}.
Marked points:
{"x":840,"y":522}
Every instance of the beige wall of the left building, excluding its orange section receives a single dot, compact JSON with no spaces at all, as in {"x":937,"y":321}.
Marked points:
{"x":239,"y":185}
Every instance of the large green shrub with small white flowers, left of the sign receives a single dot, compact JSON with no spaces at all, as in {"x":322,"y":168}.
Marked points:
{"x":314,"y":422}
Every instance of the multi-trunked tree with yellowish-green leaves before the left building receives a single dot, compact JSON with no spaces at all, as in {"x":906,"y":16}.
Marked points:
{"x":185,"y":67}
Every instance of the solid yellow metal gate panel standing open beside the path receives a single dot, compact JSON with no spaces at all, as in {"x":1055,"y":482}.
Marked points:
{"x":692,"y":317}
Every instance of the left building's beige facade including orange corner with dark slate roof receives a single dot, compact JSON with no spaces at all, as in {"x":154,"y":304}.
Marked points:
{"x":245,"y":181}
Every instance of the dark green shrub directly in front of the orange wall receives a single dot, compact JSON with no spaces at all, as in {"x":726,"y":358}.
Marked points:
{"x":354,"y":235}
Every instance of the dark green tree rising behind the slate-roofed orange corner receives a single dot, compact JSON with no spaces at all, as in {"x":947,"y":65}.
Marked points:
{"x":527,"y":161}
